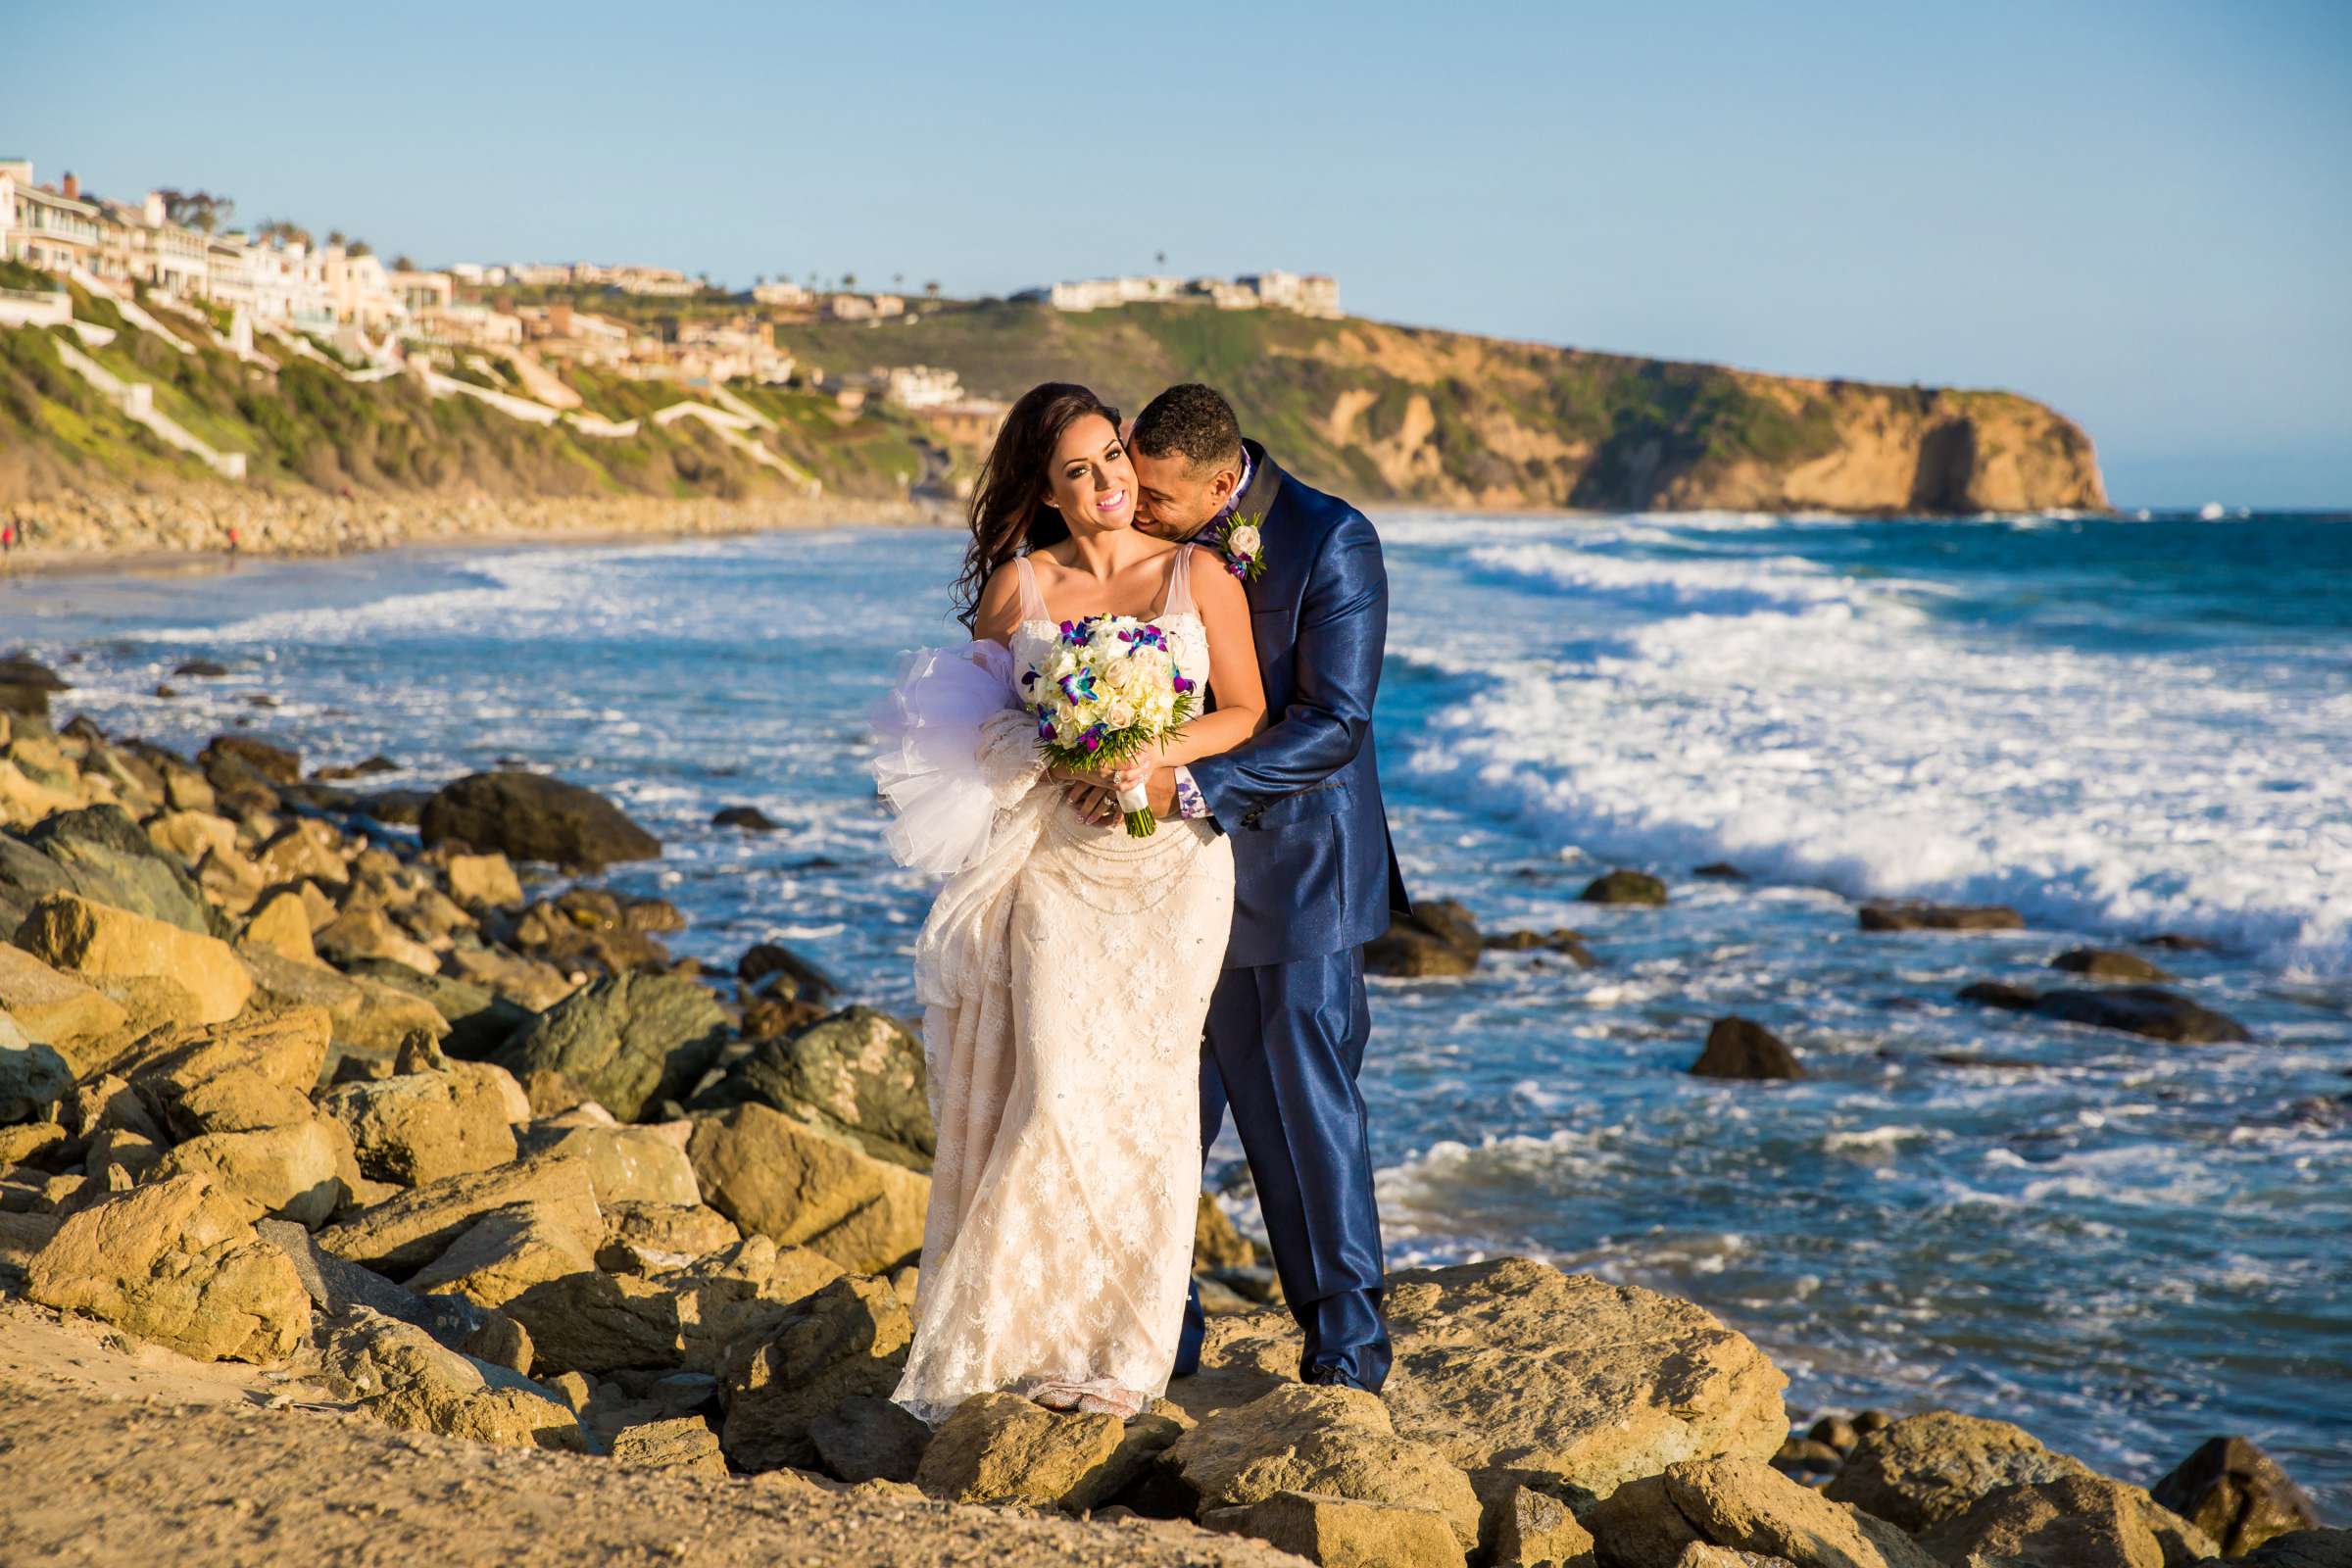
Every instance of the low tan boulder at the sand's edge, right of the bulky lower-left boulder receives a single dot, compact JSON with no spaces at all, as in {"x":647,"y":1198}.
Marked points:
{"x":401,"y":1376}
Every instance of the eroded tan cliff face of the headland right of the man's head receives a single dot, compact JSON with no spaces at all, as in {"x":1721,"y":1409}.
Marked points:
{"x":1488,"y":424}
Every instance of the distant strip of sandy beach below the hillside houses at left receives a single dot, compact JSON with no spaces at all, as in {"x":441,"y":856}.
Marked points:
{"x":100,"y":530}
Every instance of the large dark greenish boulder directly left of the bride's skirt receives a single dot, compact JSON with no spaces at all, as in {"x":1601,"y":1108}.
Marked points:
{"x":857,"y":1073}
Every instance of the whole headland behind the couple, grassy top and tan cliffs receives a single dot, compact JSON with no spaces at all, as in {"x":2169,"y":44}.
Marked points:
{"x":1412,"y":415}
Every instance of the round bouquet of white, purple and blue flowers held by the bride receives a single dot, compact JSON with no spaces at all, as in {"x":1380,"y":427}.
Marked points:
{"x":1109,"y":692}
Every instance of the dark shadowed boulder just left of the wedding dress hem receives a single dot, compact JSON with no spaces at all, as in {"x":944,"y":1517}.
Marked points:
{"x":843,"y":1341}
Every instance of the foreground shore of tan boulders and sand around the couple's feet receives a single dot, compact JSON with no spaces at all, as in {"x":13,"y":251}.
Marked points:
{"x":359,"y":1113}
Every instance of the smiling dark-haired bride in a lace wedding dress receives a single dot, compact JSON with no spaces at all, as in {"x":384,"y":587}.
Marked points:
{"x":1064,"y":970}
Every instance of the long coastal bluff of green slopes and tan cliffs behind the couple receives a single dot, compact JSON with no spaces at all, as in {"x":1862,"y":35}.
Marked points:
{"x":142,"y":403}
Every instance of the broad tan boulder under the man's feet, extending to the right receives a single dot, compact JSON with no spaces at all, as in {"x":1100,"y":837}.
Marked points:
{"x":1561,"y":1379}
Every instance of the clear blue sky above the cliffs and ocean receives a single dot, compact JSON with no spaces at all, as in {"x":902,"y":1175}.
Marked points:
{"x":2137,"y":213}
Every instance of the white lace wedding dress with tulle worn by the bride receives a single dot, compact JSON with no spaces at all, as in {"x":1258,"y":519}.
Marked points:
{"x":1067,"y":974}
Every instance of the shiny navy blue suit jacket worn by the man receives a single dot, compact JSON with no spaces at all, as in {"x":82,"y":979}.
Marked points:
{"x":1314,"y":864}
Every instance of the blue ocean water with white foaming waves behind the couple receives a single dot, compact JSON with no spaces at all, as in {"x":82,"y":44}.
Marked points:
{"x":2116,"y":725}
